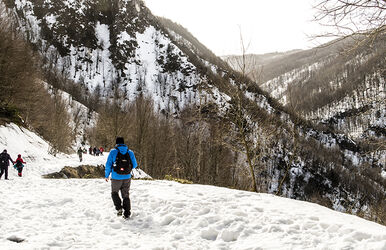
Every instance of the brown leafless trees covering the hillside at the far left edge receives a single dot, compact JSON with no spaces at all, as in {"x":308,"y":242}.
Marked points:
{"x":24,"y":98}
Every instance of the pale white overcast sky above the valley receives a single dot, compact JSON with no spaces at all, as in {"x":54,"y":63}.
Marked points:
{"x":267,"y":25}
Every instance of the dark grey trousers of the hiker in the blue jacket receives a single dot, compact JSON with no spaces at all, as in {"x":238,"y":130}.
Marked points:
{"x":124,"y":187}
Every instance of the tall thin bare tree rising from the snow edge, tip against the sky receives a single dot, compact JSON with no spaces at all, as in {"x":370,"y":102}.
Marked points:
{"x":246,"y":123}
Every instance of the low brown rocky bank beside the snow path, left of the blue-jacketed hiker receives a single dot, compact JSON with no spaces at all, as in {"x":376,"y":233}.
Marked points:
{"x":84,"y":171}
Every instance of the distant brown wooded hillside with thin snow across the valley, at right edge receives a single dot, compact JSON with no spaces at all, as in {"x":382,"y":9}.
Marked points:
{"x":334,"y":85}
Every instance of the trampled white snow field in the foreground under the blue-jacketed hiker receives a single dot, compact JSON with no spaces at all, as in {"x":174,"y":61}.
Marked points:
{"x":166,"y":215}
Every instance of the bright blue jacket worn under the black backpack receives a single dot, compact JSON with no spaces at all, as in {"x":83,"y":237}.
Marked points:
{"x":111,"y":160}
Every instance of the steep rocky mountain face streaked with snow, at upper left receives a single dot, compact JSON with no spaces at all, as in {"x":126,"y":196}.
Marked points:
{"x":109,"y":44}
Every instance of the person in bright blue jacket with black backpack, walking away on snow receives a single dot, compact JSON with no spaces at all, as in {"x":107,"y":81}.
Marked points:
{"x":119,"y":163}
